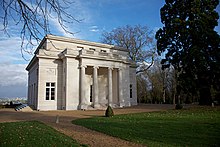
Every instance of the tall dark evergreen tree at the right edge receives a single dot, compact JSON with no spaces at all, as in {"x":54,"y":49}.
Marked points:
{"x":191,"y":45}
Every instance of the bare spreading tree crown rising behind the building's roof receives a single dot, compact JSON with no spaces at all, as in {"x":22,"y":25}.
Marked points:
{"x":139,"y":40}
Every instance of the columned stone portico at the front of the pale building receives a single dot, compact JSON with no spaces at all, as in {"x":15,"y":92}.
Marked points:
{"x":96,"y":86}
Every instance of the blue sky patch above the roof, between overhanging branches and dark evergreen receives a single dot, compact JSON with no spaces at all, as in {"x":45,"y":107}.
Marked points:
{"x":104,"y":15}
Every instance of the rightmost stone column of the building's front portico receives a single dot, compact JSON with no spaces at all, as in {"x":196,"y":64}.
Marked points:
{"x":120,"y":88}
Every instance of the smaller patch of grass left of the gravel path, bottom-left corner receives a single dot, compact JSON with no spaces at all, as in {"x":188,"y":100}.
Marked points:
{"x":32,"y":133}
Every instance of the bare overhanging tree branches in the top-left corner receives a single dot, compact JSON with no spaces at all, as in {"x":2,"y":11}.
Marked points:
{"x":33,"y":17}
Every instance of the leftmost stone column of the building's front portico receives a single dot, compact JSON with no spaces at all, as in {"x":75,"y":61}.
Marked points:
{"x":83,"y":104}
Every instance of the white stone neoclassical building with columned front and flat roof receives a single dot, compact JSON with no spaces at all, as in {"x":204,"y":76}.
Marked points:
{"x":72,"y":74}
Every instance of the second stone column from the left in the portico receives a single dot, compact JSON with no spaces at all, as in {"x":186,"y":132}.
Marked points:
{"x":95,"y":90}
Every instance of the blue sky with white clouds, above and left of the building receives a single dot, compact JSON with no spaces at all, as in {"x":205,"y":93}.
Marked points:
{"x":97,"y":16}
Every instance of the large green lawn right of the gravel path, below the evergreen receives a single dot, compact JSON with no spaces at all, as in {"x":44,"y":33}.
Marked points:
{"x":194,"y":127}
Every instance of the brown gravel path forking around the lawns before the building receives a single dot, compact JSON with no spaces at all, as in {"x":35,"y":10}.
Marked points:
{"x":80,"y":134}
